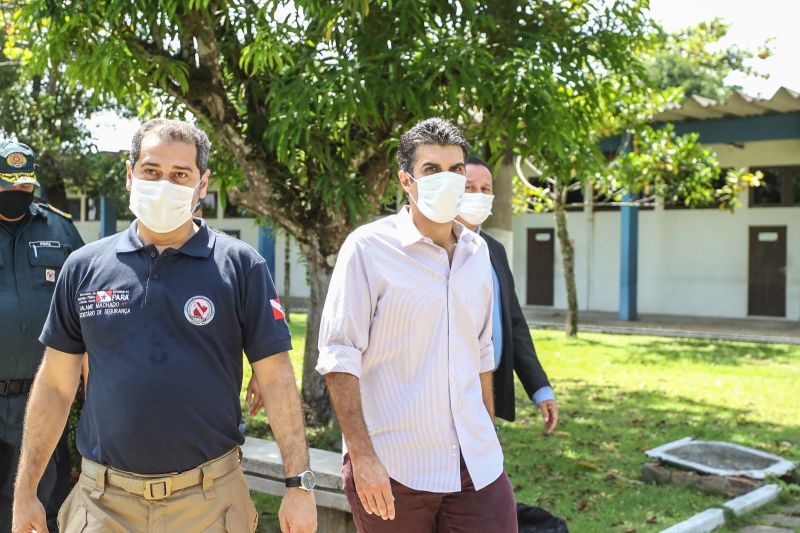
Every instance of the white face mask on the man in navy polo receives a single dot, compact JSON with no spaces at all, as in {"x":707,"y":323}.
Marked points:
{"x":160,"y":205}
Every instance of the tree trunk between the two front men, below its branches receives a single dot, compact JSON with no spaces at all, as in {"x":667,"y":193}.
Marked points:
{"x":316,"y":402}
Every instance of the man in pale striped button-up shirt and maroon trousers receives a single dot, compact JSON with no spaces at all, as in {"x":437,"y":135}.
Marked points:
{"x":406,"y":350}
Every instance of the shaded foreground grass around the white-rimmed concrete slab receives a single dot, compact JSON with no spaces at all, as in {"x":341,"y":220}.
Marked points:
{"x":587,"y":472}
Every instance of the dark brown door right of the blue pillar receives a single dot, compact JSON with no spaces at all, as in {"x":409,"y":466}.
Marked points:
{"x":766,"y":291}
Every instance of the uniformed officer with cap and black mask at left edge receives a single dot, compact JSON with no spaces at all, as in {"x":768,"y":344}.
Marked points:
{"x":35,"y":239}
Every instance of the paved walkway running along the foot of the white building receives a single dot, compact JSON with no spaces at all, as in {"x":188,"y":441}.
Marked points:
{"x":736,"y":329}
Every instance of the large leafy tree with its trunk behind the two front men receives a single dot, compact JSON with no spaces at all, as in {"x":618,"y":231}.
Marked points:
{"x":309,"y":97}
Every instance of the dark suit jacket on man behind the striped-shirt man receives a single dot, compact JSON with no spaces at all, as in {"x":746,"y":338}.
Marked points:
{"x":518,"y":353}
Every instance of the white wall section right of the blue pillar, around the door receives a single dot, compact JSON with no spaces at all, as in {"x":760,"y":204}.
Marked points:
{"x":696,"y":262}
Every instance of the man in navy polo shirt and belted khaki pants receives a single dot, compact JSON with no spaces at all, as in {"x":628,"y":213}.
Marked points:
{"x":164,"y":311}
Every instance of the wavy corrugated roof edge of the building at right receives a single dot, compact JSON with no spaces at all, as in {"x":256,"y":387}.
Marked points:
{"x":738,"y":105}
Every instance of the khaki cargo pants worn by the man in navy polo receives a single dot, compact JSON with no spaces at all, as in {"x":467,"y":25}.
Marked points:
{"x":216,"y":505}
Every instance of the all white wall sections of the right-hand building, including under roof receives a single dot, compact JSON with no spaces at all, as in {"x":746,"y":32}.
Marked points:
{"x":691,"y":262}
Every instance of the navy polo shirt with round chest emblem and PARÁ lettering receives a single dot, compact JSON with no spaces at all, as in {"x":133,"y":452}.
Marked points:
{"x":165,"y":335}
